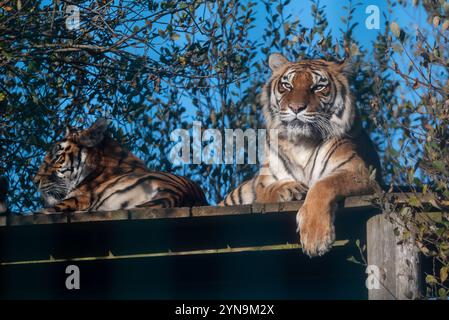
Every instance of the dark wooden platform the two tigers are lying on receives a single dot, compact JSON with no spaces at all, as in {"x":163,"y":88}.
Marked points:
{"x":239,"y":252}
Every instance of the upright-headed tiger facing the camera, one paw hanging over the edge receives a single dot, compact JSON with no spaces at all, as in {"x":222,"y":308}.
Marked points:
{"x":322,"y":153}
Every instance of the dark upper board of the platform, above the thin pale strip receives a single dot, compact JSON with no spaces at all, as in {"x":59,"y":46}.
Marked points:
{"x":142,"y":236}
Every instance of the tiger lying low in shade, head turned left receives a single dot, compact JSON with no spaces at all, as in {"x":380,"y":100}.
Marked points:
{"x":89,"y":171}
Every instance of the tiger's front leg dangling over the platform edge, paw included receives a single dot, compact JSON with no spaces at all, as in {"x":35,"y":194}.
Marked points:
{"x":315,"y":219}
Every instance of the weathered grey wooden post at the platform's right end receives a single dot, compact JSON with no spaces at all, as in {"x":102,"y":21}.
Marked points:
{"x":395,"y":262}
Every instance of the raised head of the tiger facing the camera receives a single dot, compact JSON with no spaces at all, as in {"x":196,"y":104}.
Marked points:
{"x":308,"y":99}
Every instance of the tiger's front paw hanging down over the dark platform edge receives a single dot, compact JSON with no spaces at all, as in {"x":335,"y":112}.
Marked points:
{"x":316,"y":228}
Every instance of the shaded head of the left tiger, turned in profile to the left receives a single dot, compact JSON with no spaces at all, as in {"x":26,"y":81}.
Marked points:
{"x":69,"y":162}
